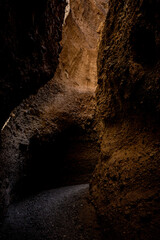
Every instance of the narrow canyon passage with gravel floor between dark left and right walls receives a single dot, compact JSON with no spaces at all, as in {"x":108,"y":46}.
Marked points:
{"x":52,"y":143}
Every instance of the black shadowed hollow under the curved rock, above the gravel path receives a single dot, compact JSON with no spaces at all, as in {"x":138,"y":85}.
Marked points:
{"x":55,"y":161}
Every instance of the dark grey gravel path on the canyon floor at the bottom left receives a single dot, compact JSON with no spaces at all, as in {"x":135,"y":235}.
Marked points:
{"x":57,"y":214}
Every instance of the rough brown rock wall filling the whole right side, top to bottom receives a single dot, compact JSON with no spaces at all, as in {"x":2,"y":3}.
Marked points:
{"x":125,"y":186}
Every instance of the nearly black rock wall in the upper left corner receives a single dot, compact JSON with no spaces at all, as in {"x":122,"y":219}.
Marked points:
{"x":30,"y":32}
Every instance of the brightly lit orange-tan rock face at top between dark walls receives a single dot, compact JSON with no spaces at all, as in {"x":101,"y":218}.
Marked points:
{"x":78,"y":59}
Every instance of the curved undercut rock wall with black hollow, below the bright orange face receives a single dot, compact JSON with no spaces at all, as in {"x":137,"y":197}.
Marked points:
{"x":48,"y":142}
